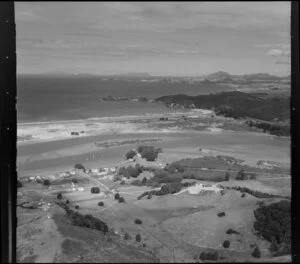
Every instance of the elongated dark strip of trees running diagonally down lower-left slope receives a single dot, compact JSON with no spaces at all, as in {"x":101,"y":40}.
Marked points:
{"x":87,"y":221}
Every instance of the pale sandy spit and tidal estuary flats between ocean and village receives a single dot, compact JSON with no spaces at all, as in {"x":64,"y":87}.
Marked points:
{"x":47,"y":147}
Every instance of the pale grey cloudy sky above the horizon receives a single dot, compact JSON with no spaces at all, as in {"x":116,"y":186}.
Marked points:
{"x":160,"y":38}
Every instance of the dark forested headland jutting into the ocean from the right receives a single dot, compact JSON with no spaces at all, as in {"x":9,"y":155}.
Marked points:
{"x":234,"y":104}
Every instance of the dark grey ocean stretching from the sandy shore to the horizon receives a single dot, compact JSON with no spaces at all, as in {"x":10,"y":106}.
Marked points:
{"x":54,"y":98}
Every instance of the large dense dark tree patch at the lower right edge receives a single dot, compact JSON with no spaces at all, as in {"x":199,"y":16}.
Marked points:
{"x":273,"y":223}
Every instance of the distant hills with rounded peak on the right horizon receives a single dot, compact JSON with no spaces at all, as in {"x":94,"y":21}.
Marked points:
{"x":222,"y":76}
